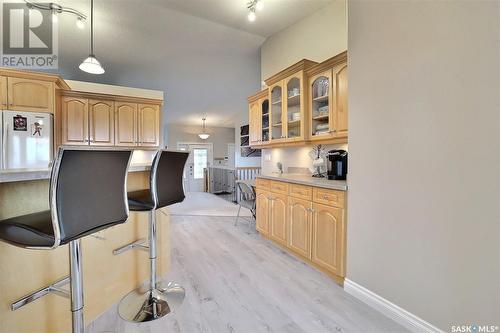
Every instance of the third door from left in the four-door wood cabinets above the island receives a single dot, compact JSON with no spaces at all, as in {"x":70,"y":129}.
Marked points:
{"x":125,"y":124}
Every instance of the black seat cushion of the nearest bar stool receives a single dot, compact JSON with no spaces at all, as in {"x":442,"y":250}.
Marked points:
{"x":28,"y":230}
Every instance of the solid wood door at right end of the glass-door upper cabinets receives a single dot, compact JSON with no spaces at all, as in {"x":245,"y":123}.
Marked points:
{"x":340,"y":100}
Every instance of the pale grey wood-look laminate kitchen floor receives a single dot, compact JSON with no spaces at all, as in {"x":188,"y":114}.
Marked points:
{"x":238,"y":282}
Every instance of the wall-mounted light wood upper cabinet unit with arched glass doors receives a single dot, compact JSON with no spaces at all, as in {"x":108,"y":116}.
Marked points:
{"x":305,"y":103}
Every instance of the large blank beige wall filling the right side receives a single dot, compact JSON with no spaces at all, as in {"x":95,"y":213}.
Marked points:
{"x":424,"y":136}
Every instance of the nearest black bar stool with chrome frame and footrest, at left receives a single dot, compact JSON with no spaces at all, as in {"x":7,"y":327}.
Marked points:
{"x":87,"y":194}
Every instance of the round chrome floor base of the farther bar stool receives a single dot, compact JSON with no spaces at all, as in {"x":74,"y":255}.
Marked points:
{"x":143,"y":305}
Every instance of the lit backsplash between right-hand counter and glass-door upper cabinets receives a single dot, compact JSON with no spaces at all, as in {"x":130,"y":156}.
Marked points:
{"x":294,"y":159}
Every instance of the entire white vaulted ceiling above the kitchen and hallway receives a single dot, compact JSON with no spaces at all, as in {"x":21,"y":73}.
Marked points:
{"x":182,"y":47}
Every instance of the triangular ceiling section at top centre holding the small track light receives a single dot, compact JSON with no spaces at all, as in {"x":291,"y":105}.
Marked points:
{"x":276,"y":15}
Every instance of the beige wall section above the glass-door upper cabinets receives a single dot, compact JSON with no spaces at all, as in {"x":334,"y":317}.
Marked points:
{"x":317,"y":37}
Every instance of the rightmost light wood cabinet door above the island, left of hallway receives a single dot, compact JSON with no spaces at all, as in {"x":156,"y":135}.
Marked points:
{"x":149,"y":125}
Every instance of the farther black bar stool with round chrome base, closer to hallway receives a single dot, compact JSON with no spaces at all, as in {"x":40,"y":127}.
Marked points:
{"x":154,"y":301}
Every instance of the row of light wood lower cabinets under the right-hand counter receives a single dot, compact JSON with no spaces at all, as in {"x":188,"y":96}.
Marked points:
{"x":312,"y":226}
